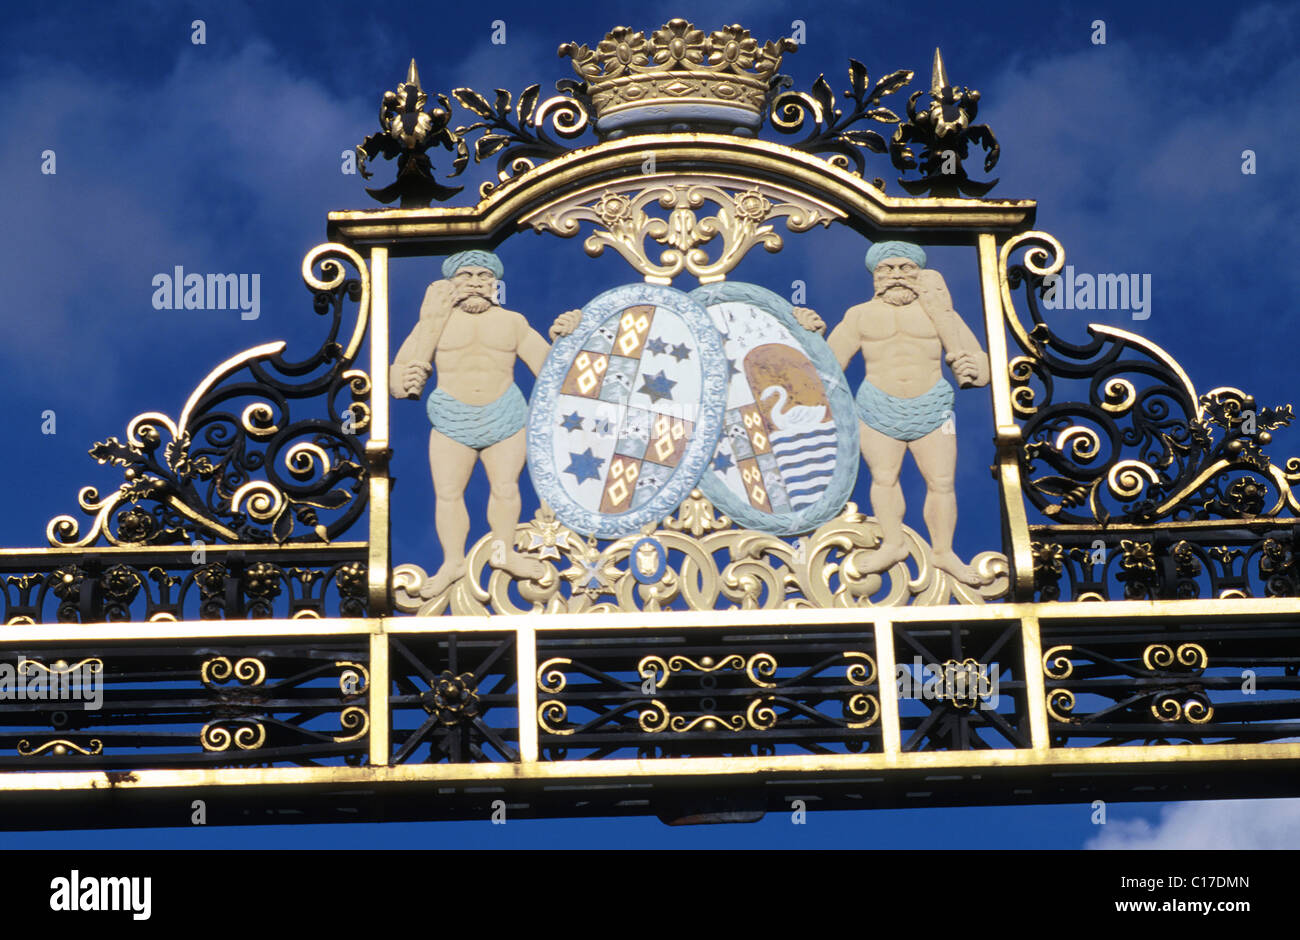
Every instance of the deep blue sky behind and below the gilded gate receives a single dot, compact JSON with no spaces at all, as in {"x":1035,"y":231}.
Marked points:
{"x":226,"y":158}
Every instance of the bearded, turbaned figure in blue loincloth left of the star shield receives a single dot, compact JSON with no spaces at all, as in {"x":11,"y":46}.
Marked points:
{"x":478,"y":413}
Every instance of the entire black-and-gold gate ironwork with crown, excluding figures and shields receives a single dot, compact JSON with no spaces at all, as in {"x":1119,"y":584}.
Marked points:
{"x":1159,"y":571}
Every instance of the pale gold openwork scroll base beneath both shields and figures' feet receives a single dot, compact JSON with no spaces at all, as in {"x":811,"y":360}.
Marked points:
{"x":755,"y":570}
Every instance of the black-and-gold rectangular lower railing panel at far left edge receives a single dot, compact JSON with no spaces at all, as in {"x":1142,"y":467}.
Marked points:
{"x":189,"y":703}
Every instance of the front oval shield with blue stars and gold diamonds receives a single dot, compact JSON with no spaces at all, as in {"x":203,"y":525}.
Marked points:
{"x":627,"y":410}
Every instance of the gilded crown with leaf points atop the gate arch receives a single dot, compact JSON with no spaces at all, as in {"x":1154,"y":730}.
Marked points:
{"x":679,"y":77}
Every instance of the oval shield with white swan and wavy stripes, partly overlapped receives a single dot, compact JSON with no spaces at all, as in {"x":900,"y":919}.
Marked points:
{"x":788,"y":456}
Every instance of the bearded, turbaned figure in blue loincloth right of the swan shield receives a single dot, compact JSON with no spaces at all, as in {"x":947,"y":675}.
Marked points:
{"x":905,"y":333}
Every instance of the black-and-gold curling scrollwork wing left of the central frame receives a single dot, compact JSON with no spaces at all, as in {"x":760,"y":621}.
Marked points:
{"x":237,"y":466}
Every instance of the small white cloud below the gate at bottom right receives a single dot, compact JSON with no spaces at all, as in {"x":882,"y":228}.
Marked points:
{"x":1216,"y":825}
